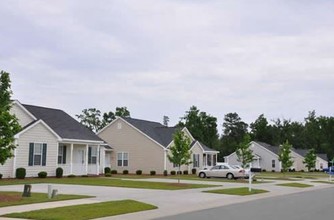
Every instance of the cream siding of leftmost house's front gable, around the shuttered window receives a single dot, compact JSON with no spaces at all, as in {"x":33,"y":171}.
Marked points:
{"x":37,"y":134}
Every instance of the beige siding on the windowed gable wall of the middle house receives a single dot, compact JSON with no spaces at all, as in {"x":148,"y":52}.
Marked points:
{"x":144,"y":153}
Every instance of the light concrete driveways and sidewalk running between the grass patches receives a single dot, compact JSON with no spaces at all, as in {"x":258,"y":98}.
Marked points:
{"x":169,"y":202}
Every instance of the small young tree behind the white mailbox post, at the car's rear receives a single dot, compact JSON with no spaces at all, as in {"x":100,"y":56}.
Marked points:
{"x":244,"y":153}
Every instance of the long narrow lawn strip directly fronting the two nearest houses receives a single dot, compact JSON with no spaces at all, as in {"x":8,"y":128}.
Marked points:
{"x":107,"y":181}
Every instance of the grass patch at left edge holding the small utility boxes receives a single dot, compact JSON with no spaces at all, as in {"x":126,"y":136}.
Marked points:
{"x":15,"y":198}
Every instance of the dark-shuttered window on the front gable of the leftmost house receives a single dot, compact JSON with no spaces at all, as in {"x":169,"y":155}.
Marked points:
{"x":37,"y":154}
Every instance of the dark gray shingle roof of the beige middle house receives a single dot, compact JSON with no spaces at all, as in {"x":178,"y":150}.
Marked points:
{"x":158,"y":132}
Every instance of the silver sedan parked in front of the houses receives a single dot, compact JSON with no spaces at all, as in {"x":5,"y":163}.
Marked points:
{"x":222,"y":171}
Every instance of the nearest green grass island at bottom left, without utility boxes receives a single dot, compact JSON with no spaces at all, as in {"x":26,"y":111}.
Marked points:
{"x":87,"y":211}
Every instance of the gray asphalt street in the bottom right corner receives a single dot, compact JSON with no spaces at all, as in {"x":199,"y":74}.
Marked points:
{"x":310,"y":205}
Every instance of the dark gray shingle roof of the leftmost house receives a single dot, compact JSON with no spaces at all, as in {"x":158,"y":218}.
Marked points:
{"x":62,"y":123}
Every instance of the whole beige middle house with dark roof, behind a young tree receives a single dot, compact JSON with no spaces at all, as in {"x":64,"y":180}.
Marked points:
{"x":144,"y":145}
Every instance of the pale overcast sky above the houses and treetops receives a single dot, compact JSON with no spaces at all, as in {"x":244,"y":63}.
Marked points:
{"x":161,"y":57}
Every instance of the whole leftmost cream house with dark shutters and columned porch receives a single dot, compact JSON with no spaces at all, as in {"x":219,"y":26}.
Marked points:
{"x":50,"y":138}
